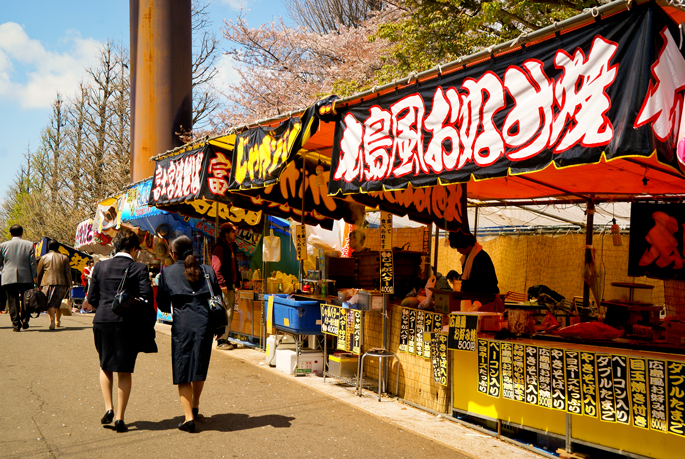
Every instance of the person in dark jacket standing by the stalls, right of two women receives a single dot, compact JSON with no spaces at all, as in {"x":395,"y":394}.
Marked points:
{"x":225,"y":264}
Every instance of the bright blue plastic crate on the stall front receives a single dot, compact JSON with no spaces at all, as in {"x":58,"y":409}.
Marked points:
{"x":299,"y":315}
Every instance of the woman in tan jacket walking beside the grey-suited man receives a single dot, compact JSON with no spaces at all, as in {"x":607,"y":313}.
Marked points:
{"x":54,"y":278}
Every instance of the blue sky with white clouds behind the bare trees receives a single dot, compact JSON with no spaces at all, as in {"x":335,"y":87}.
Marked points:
{"x":45,"y":47}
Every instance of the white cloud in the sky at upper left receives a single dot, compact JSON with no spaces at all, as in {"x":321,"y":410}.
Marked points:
{"x":31,"y":75}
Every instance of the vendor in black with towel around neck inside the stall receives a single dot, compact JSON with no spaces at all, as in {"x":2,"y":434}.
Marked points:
{"x":478,"y":272}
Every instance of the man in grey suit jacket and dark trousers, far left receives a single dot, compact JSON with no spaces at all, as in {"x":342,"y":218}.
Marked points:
{"x":18,"y":262}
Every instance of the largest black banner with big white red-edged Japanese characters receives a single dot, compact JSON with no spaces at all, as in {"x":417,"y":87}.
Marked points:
{"x":613,"y":87}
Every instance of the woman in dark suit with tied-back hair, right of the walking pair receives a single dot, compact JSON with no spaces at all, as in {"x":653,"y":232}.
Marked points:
{"x":184,"y":286}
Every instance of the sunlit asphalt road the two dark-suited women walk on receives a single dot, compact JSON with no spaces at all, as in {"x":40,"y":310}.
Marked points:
{"x":51,"y":405}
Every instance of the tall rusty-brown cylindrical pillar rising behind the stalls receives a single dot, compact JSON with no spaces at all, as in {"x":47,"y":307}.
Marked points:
{"x":161,"y":79}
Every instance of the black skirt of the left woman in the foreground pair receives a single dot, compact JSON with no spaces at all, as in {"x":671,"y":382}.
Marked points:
{"x":116,"y":345}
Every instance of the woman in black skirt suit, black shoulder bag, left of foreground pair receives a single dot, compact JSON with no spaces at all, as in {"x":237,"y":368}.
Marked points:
{"x":119,"y":339}
